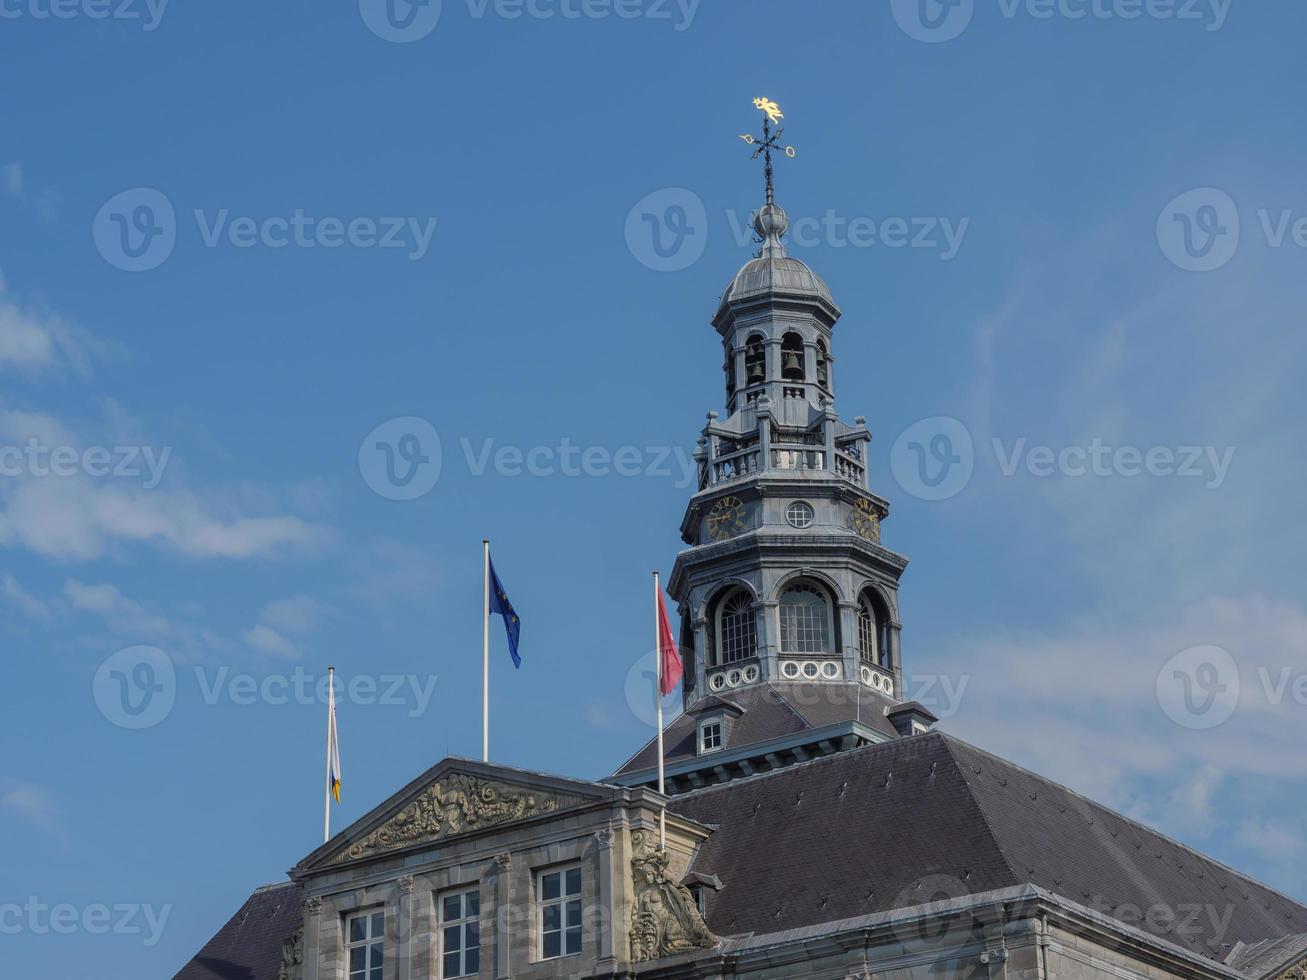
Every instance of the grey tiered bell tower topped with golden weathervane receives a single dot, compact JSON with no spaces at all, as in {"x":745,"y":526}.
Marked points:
{"x":789,"y":600}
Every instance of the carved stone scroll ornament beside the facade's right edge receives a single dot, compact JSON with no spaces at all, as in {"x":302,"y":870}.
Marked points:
{"x":666,"y":921}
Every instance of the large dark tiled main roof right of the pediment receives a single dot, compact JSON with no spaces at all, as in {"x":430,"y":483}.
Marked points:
{"x":922,"y":819}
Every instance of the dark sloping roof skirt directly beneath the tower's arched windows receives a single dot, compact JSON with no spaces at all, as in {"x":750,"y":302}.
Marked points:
{"x":769,"y":711}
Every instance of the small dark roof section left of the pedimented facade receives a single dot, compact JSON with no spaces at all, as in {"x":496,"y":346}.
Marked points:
{"x":249,"y":948}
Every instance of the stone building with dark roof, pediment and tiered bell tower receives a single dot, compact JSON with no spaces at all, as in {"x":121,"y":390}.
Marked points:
{"x":818,"y":825}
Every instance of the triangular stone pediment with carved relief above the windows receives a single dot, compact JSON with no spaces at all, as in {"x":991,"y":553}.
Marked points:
{"x":455,"y":799}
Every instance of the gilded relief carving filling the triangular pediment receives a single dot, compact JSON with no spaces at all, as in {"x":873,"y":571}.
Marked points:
{"x":455,"y":804}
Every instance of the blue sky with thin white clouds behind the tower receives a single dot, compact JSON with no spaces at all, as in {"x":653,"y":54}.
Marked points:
{"x":301,"y":304}
